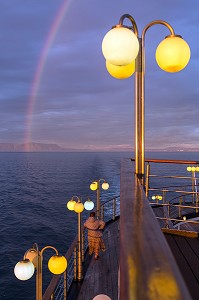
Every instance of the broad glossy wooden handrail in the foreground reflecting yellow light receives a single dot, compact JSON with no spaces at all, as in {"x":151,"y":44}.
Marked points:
{"x":147,"y":266}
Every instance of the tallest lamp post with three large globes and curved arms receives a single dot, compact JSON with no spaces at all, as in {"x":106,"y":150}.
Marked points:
{"x":121,"y":46}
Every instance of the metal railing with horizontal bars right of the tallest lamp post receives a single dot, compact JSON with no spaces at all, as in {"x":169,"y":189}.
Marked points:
{"x":179,"y":199}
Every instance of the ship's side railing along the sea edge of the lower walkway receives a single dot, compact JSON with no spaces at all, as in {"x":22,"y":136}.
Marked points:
{"x":60,"y":284}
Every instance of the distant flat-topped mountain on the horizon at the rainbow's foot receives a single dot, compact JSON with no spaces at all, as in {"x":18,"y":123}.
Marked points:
{"x":30,"y":147}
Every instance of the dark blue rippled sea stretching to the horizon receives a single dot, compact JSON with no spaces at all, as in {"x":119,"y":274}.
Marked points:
{"x":34,"y":191}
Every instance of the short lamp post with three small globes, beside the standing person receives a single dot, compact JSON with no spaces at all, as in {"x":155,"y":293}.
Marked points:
{"x":78,"y":207}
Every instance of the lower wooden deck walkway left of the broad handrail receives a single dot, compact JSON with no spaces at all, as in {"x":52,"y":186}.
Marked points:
{"x":102,"y":275}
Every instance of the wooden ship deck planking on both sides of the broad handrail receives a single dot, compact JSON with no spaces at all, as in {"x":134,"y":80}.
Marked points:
{"x":101,"y":276}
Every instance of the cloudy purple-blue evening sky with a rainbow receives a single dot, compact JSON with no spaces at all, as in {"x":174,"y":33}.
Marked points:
{"x":54,"y":86}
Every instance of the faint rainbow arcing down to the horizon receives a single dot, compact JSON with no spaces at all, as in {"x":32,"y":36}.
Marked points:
{"x":40,"y":67}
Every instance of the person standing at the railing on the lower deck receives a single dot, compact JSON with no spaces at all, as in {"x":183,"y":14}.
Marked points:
{"x":95,"y":240}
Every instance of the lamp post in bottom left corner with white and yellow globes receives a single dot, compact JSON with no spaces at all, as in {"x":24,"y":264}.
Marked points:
{"x":32,"y":260}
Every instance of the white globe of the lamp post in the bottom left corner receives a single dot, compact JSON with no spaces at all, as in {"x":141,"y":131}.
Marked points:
{"x":24,"y":269}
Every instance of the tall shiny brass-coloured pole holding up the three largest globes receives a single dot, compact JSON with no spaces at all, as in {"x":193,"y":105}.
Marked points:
{"x":139,"y":114}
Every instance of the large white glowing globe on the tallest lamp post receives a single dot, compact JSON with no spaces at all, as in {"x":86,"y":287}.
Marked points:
{"x":120,"y":46}
